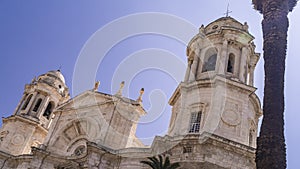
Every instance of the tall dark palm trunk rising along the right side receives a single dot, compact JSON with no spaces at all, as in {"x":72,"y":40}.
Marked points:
{"x":271,"y":148}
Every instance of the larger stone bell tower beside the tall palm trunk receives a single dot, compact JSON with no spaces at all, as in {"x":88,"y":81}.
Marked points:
{"x":217,"y":96}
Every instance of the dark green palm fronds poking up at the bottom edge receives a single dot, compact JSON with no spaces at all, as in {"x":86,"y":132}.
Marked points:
{"x":159,"y":163}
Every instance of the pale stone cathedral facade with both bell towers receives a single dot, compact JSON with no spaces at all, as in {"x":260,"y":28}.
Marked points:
{"x":213,"y":125}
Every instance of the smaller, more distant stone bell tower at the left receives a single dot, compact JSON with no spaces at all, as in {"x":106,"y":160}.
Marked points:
{"x":29,"y":124}
